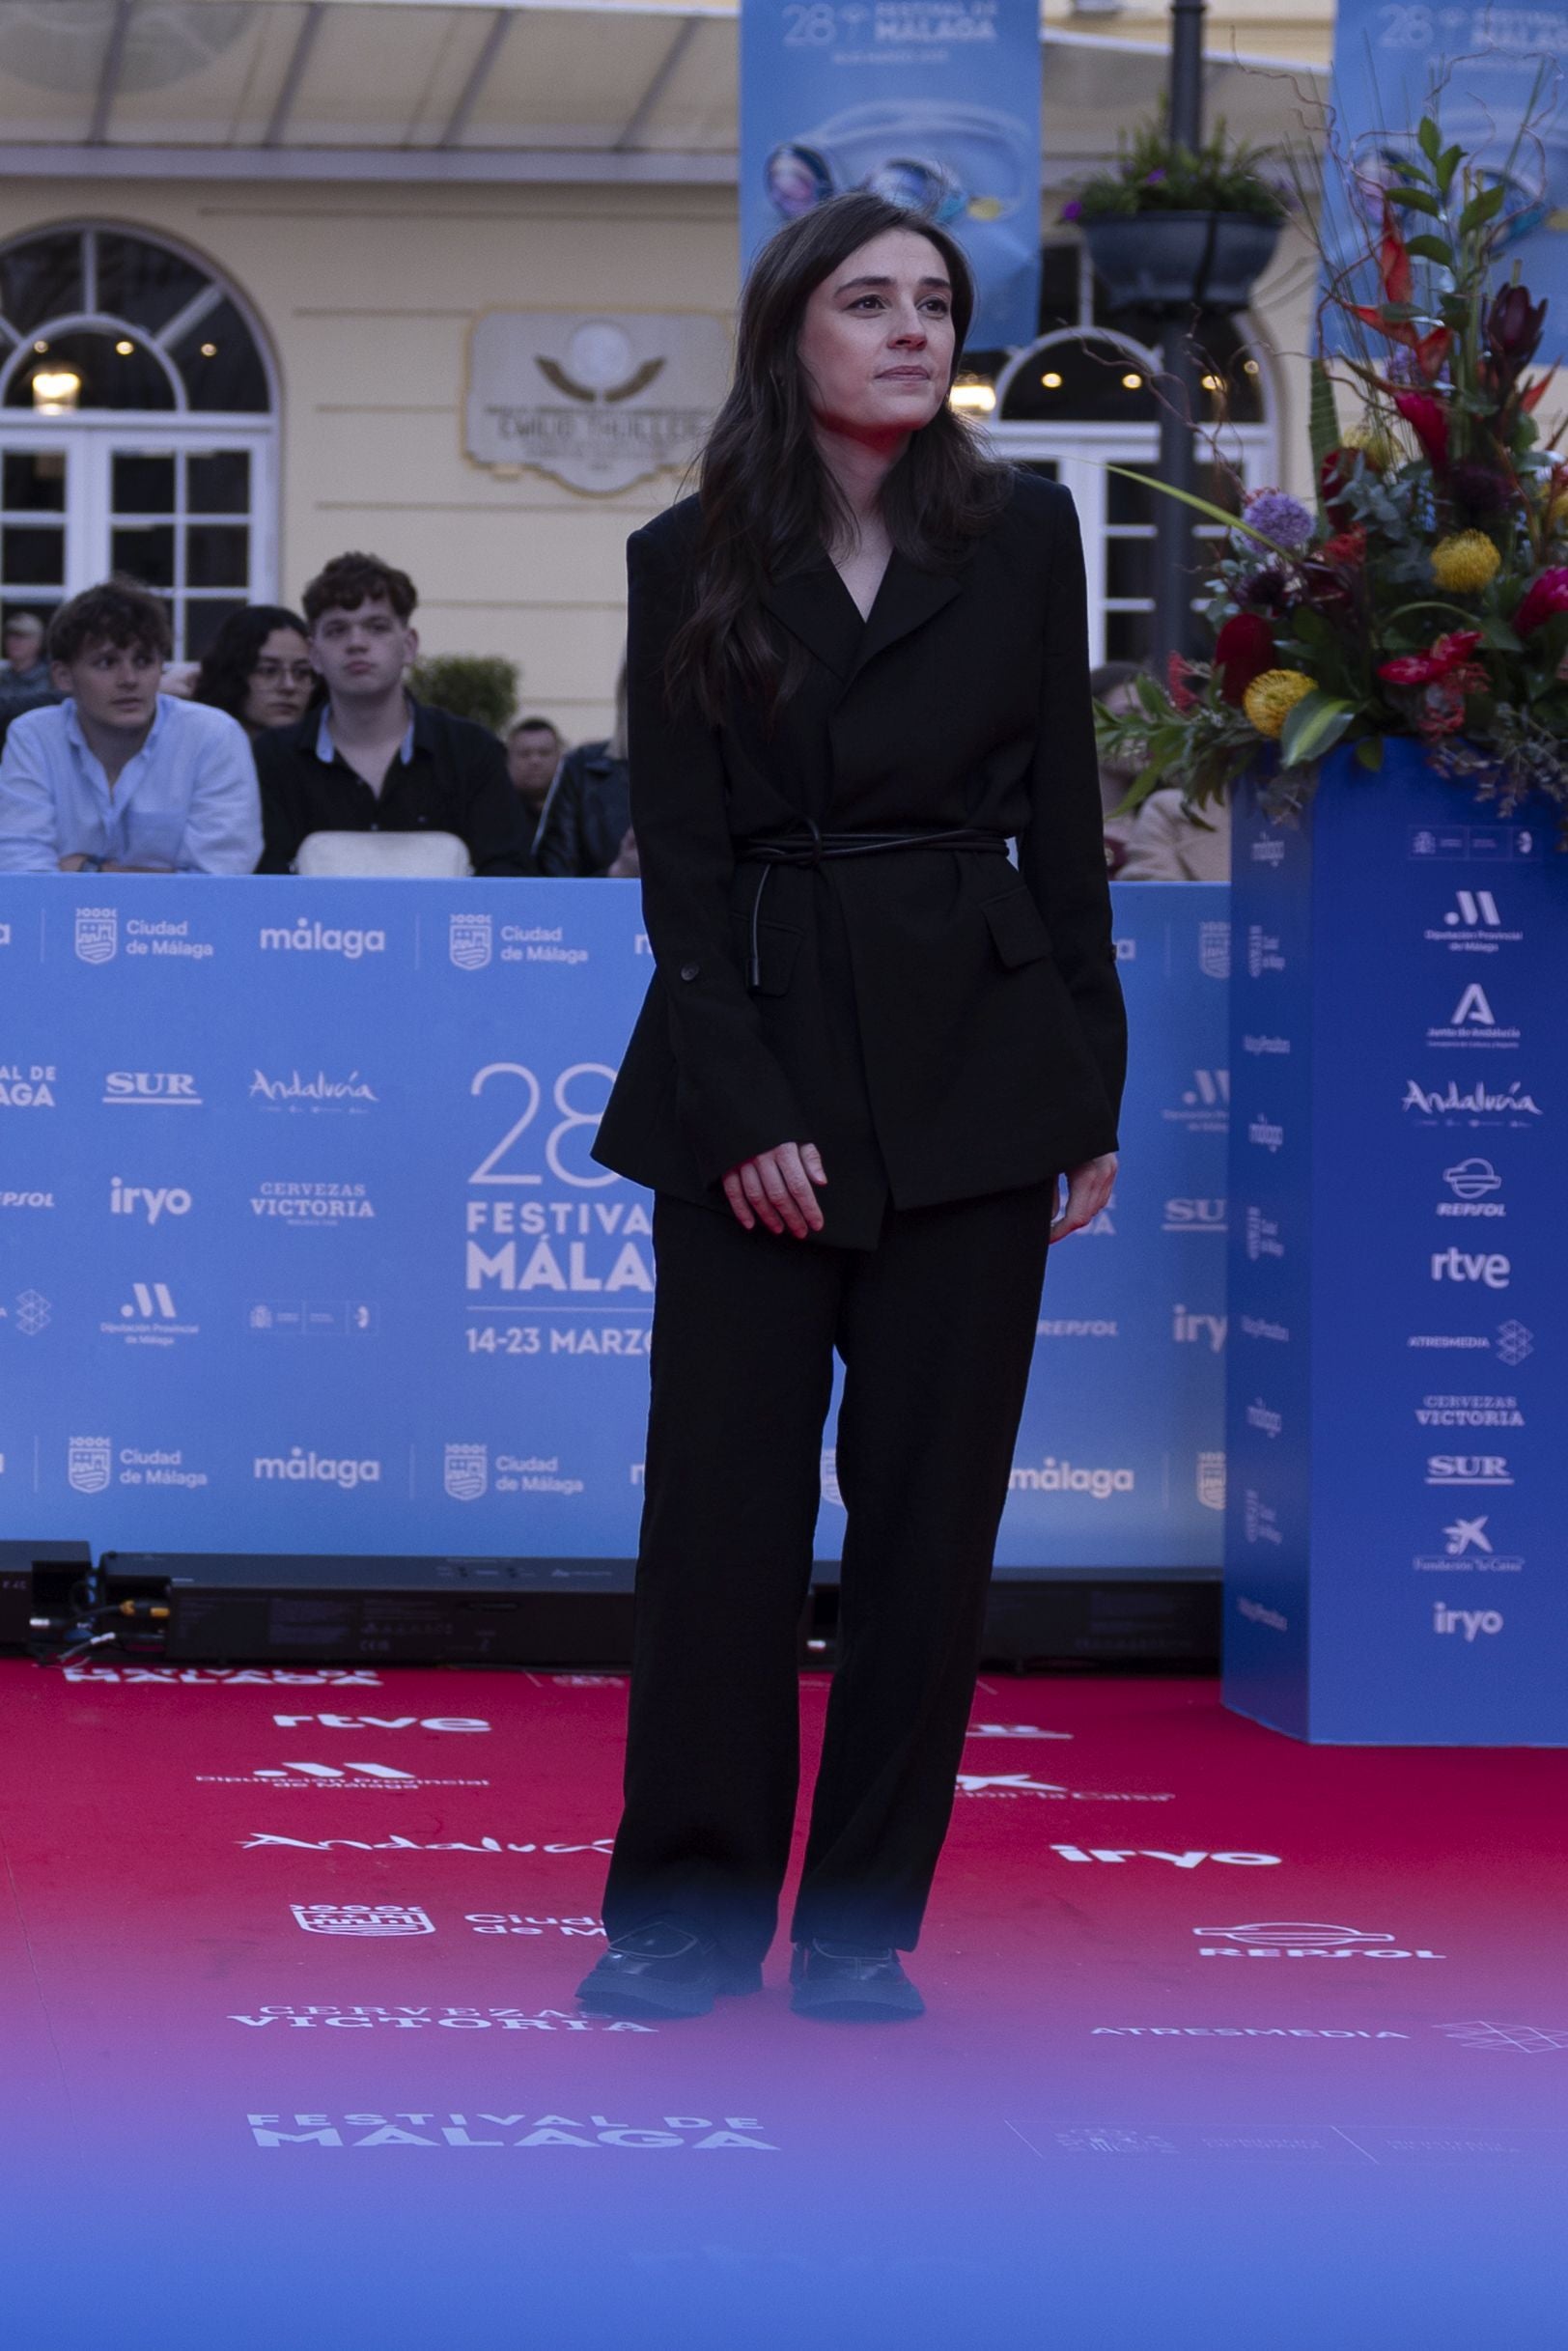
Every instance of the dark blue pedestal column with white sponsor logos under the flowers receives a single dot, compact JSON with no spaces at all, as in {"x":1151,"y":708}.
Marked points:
{"x":1398,"y":1391}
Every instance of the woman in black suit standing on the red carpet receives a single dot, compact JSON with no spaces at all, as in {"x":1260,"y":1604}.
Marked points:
{"x":869,"y":1054}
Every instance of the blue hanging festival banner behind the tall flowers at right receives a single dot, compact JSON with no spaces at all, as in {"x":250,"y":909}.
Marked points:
{"x":1496,"y":79}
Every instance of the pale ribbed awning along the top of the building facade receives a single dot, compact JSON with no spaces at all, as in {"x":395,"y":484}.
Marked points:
{"x":577,"y":91}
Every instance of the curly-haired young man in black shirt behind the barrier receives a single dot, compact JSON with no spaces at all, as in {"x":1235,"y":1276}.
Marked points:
{"x":375,"y":761}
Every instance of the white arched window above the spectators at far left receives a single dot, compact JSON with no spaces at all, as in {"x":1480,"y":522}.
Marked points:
{"x":138,"y":429}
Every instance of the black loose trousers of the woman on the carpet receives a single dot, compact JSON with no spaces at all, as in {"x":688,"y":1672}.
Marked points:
{"x":937,"y":1329}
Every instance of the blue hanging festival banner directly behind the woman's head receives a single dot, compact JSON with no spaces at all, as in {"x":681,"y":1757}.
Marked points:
{"x":927,"y":102}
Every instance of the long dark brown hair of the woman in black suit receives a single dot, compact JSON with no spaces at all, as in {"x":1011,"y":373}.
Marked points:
{"x":770,"y":504}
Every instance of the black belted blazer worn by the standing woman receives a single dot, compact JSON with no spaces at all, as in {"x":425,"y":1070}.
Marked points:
{"x":939,"y":1024}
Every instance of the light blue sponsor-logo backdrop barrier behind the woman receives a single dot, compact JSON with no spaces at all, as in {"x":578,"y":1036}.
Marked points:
{"x":302,"y":1245}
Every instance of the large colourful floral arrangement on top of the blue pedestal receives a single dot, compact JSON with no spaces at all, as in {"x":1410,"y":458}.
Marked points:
{"x":1428,"y":589}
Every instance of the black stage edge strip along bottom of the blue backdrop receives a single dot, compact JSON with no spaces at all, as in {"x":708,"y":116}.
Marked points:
{"x":333,"y":1609}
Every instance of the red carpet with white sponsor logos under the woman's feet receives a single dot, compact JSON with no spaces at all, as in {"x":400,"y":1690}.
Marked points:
{"x":1219,"y":2025}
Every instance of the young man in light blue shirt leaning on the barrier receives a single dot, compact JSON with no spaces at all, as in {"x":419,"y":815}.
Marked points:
{"x":121,"y":777}
